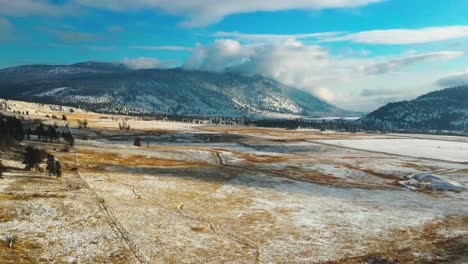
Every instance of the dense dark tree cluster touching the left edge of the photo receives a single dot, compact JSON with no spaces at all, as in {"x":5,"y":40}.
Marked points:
{"x":11,"y":131}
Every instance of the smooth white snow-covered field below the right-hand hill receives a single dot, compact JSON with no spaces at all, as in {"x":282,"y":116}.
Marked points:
{"x":419,"y":148}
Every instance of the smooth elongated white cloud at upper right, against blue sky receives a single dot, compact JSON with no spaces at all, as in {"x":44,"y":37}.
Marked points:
{"x":404,"y":36}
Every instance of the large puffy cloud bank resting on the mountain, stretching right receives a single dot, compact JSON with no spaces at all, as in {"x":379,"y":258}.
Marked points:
{"x":312,"y":67}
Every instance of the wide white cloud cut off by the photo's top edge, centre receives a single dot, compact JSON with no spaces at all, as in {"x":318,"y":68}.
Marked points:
{"x":205,"y":12}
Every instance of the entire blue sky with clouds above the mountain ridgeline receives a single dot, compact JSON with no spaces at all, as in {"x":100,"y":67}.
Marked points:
{"x":357,"y":54}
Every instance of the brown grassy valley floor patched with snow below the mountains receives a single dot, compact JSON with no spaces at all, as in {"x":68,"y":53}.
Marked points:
{"x":198,"y":193}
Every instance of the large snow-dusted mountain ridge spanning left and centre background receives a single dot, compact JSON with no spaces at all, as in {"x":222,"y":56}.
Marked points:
{"x":113,"y":87}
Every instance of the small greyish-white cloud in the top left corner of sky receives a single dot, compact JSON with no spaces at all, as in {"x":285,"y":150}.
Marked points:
{"x":35,"y":8}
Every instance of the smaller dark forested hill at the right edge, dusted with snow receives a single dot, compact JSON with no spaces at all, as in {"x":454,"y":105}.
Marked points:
{"x":440,"y":110}
